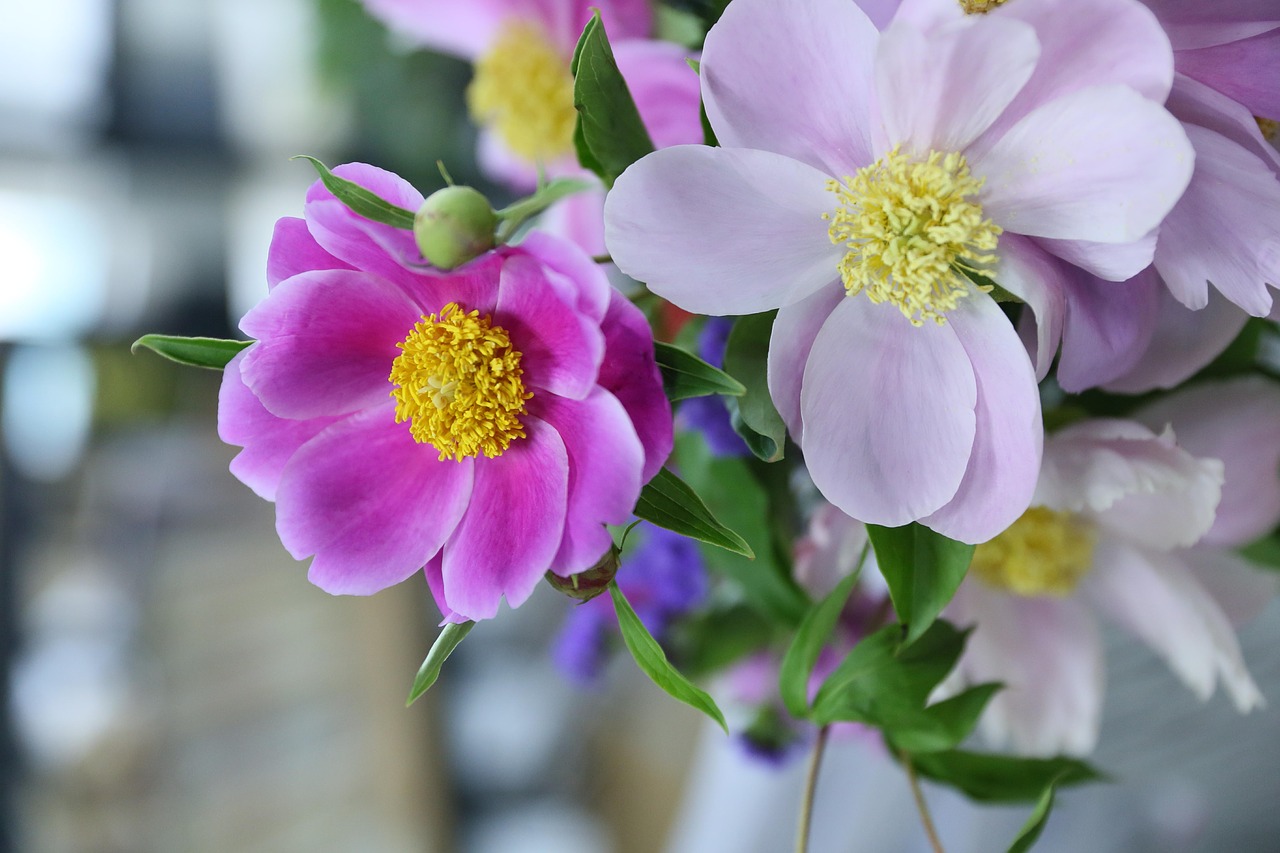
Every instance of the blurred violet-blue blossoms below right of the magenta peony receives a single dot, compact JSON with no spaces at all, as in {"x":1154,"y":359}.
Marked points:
{"x":664,"y":578}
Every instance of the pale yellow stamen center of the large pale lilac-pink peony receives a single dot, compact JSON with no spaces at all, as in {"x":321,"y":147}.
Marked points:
{"x":912,"y":230}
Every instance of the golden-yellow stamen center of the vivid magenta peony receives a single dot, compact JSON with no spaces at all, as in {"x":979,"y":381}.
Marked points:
{"x":459,"y":384}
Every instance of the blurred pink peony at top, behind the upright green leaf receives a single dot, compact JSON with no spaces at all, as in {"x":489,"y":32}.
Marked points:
{"x":523,"y":93}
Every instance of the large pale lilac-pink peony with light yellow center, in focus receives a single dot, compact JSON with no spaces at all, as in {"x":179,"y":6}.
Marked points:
{"x":865,"y":177}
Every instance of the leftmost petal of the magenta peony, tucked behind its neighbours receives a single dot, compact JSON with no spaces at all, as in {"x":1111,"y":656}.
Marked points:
{"x":268,"y":441}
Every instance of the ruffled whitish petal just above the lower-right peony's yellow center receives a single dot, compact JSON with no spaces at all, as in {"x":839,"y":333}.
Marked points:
{"x":1131,"y":481}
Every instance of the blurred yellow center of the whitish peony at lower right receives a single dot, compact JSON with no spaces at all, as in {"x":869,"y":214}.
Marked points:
{"x":1044,"y":554}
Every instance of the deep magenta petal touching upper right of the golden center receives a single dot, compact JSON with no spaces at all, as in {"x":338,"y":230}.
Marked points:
{"x":561,"y":350}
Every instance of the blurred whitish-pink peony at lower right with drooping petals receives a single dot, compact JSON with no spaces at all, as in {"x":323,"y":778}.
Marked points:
{"x":1124,"y":522}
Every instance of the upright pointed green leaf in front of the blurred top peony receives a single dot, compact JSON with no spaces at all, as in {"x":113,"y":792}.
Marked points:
{"x":609,"y":127}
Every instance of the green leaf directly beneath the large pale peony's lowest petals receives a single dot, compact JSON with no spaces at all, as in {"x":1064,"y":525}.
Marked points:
{"x":922,"y":569}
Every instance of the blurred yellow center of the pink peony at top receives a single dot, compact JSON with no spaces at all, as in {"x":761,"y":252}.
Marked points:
{"x":523,"y":90}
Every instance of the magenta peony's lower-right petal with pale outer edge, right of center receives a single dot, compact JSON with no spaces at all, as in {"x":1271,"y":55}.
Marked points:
{"x":606,"y":460}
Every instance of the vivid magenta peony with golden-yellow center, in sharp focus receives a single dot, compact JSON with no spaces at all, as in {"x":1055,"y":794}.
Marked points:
{"x":484,"y":423}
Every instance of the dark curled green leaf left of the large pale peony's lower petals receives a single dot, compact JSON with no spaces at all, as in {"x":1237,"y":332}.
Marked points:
{"x":747,"y":361}
